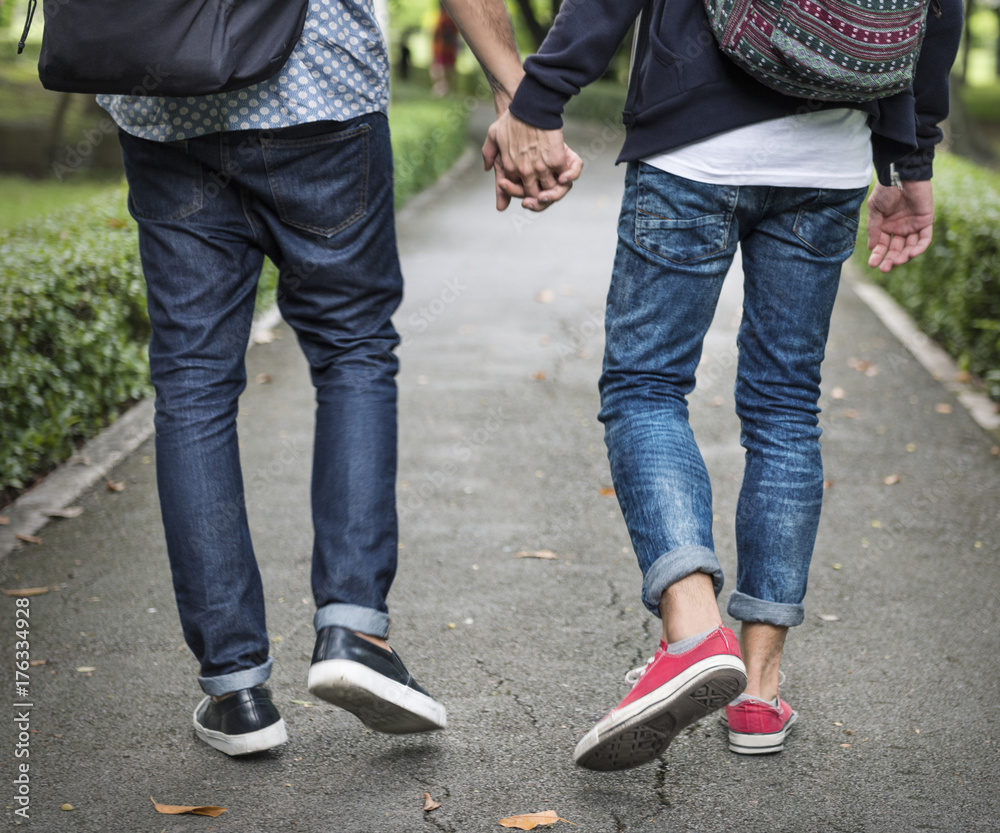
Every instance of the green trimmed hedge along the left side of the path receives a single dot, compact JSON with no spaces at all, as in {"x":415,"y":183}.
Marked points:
{"x":73,"y":323}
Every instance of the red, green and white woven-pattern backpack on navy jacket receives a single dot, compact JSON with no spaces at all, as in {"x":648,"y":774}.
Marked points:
{"x":831,"y":50}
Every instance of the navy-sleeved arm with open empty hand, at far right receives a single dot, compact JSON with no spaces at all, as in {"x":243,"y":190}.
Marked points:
{"x":901,"y":205}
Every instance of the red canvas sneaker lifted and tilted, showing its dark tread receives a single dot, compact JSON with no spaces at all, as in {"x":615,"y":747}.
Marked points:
{"x":671,"y":693}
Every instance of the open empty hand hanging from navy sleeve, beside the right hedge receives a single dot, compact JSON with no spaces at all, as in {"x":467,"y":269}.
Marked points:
{"x":899,"y":223}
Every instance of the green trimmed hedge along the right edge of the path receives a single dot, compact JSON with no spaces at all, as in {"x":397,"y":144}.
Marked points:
{"x":953,"y":289}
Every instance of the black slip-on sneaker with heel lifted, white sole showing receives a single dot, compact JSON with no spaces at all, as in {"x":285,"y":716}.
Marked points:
{"x":371,"y":683}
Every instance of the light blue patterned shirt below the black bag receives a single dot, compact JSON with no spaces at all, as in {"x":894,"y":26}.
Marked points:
{"x":338,"y":70}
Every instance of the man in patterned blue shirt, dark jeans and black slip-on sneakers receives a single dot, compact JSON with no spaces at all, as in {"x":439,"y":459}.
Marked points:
{"x":298,"y":169}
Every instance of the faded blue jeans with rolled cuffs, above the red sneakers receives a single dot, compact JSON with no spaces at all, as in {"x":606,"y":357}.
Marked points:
{"x":677,"y":240}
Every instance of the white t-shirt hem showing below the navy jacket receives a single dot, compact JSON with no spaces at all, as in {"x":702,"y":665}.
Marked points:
{"x":822,"y":149}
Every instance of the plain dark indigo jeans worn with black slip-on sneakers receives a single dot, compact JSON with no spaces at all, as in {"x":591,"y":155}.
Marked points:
{"x":317,"y":200}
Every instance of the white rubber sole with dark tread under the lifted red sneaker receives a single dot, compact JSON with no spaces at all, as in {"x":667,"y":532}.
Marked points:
{"x":641,"y":731}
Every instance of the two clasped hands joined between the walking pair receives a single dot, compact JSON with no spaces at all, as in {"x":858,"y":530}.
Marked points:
{"x":531,"y":164}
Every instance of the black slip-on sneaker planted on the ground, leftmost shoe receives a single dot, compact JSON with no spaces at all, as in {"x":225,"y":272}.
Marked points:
{"x":240,"y":723}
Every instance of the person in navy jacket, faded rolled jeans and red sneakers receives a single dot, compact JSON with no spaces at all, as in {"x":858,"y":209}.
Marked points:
{"x":715,"y":160}
